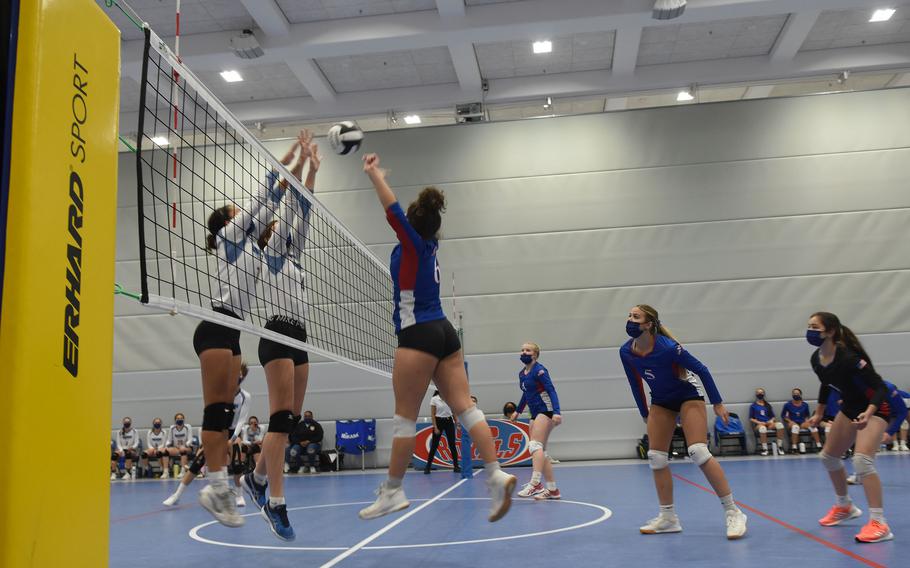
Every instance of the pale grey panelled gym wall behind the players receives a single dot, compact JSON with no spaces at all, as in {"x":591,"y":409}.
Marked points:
{"x":736,"y":220}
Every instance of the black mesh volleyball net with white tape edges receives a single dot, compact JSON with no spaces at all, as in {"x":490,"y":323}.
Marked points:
{"x":194,"y":156}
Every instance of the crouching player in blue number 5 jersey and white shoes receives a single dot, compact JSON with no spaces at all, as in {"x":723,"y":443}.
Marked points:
{"x":654,"y":356}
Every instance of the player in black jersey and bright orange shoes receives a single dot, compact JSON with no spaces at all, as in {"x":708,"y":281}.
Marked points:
{"x":842,"y":364}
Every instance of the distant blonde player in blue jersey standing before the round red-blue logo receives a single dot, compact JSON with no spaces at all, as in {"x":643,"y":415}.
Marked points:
{"x":538,"y":394}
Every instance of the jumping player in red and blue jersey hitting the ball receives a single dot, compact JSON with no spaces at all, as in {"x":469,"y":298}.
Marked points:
{"x":428,"y":347}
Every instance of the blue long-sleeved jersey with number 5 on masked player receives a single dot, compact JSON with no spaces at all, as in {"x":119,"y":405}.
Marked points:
{"x":662,"y":369}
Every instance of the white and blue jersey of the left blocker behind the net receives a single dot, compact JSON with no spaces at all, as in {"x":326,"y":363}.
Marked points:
{"x":237,"y":253}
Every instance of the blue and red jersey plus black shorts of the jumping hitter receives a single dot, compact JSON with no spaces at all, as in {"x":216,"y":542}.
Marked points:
{"x":419,"y":320}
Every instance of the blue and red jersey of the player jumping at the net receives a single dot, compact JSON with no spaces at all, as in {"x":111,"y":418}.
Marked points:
{"x":415,"y":273}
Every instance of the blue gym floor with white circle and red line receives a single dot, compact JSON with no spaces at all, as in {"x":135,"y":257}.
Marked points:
{"x":596,"y":523}
